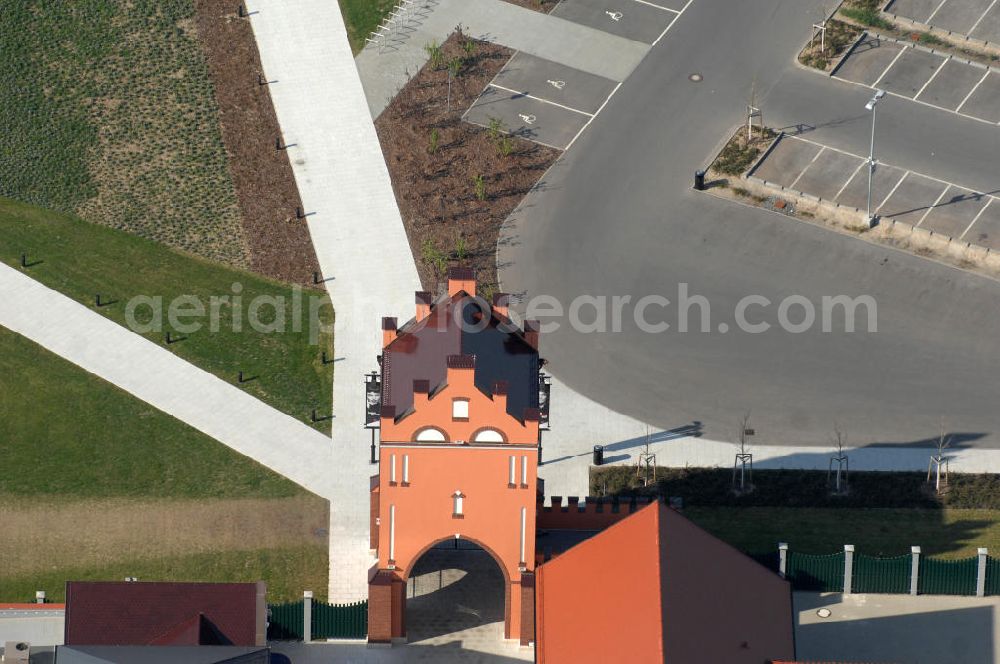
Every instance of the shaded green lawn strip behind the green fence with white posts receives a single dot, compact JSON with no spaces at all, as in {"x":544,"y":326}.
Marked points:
{"x":945,"y":533}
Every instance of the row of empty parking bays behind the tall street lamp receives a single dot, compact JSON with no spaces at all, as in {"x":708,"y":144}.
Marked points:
{"x":897,"y":193}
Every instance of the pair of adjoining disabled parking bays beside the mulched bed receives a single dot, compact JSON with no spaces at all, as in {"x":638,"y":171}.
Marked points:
{"x":542,"y":101}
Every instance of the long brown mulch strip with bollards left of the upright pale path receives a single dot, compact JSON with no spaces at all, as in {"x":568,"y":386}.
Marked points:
{"x":279,"y":242}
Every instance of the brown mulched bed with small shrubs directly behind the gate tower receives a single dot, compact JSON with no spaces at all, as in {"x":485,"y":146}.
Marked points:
{"x":435,"y":159}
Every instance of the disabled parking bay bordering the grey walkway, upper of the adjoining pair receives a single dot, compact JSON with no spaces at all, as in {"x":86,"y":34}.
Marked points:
{"x":555,"y":82}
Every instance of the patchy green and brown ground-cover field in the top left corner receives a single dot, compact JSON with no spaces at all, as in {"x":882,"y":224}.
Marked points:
{"x":109,"y":112}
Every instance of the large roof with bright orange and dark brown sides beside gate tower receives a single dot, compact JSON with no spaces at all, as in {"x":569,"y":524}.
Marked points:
{"x":657,"y":588}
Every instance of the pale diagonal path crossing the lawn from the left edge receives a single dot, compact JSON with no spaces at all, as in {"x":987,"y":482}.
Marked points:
{"x":166,"y":382}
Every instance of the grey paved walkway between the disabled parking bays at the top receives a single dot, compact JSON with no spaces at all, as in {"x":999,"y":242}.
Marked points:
{"x":572,"y":44}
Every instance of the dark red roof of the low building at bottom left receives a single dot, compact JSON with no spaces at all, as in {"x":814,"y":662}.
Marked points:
{"x":150,"y":613}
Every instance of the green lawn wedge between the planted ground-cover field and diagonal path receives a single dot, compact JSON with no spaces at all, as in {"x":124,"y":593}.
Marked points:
{"x":81,"y":260}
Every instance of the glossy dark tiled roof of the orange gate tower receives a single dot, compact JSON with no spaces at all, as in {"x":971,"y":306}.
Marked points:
{"x":425,"y":349}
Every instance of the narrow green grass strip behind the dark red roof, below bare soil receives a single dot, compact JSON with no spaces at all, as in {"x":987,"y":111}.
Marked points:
{"x":287,"y":571}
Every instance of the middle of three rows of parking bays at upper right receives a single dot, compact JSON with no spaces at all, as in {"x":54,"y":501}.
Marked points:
{"x":912,"y":72}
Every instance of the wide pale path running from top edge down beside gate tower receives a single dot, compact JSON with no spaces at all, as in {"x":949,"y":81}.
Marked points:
{"x":356,"y":230}
